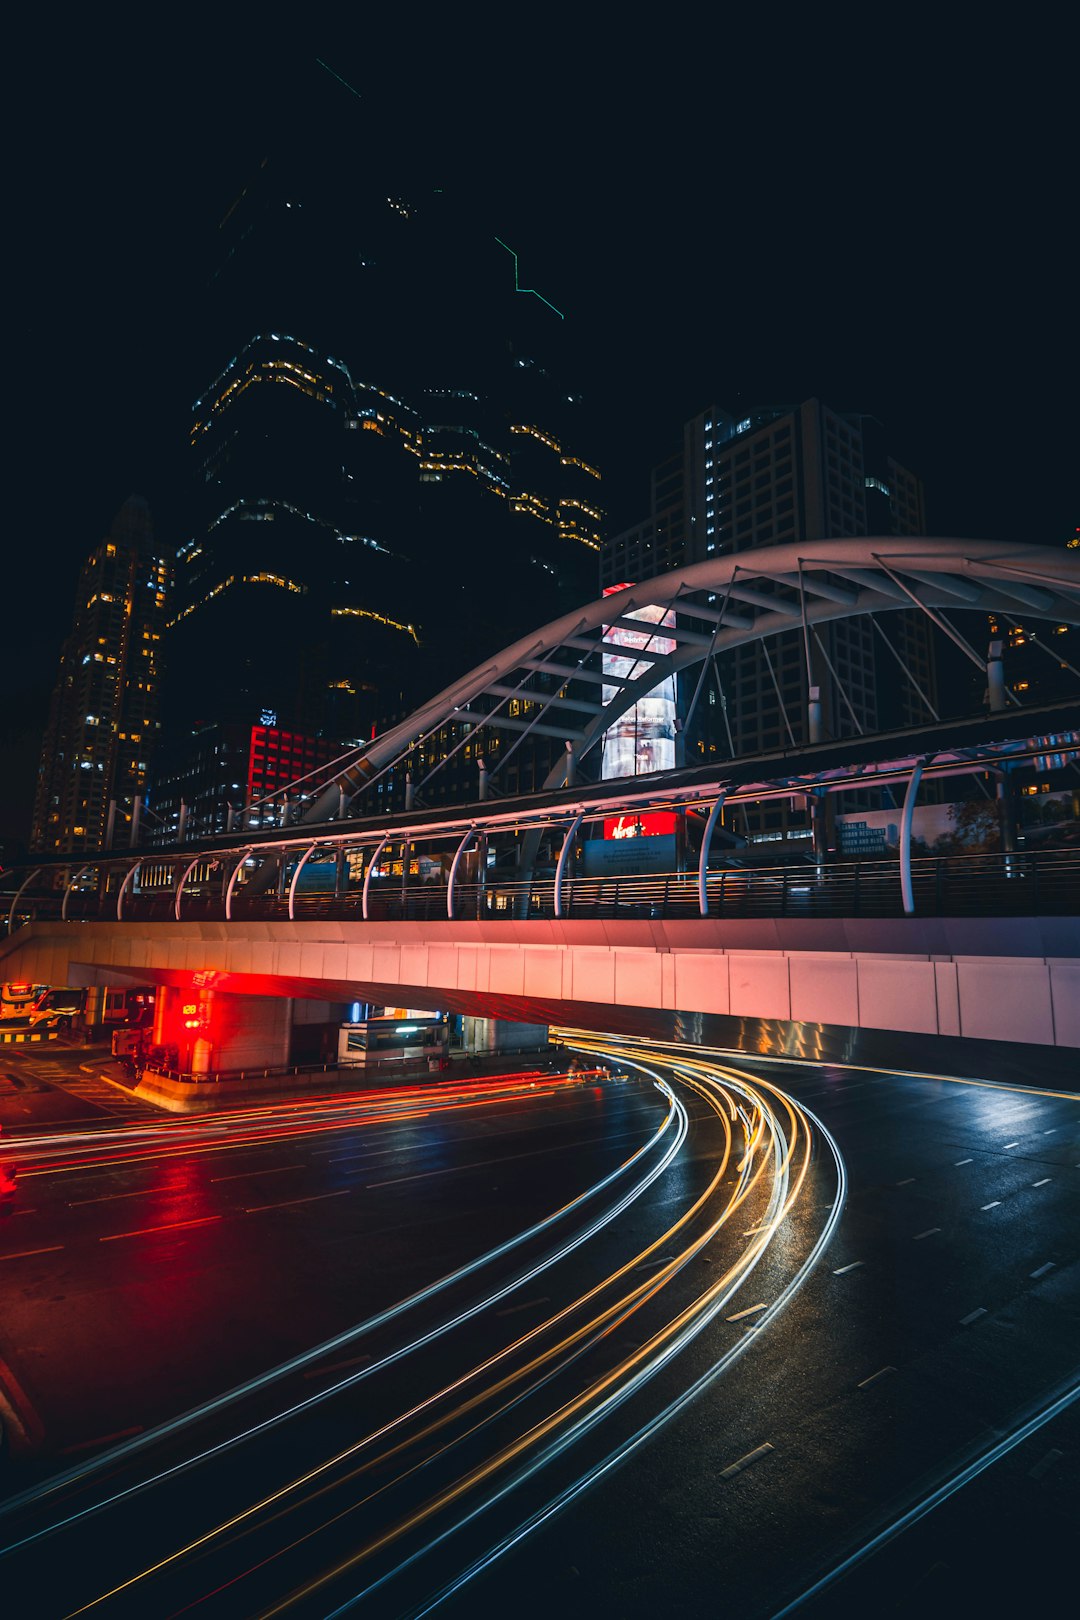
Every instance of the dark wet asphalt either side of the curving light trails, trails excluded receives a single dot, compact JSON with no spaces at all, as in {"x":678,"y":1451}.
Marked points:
{"x":943,"y":1316}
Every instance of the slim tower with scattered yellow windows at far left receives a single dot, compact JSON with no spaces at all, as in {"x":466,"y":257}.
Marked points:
{"x":104,"y":715}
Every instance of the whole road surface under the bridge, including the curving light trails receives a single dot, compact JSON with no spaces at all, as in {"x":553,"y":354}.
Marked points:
{"x":793,"y":1305}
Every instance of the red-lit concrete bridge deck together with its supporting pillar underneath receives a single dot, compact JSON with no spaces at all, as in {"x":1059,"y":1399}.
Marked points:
{"x":828,"y":987}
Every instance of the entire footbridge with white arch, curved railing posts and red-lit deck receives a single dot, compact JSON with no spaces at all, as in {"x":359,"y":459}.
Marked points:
{"x":227,"y":929}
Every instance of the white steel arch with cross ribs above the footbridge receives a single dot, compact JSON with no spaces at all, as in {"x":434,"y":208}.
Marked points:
{"x":718,"y":607}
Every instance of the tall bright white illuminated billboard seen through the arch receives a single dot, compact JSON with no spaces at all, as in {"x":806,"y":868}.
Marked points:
{"x":644,"y":740}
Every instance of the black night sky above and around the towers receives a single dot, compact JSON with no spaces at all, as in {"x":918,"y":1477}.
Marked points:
{"x":869,"y":205}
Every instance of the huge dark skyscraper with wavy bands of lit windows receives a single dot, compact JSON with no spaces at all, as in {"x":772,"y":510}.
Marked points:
{"x":388,"y":475}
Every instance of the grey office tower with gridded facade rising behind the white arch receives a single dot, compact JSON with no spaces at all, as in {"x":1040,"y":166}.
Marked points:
{"x":784,"y":475}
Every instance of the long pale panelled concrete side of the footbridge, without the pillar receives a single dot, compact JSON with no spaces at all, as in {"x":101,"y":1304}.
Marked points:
{"x":990,"y":979}
